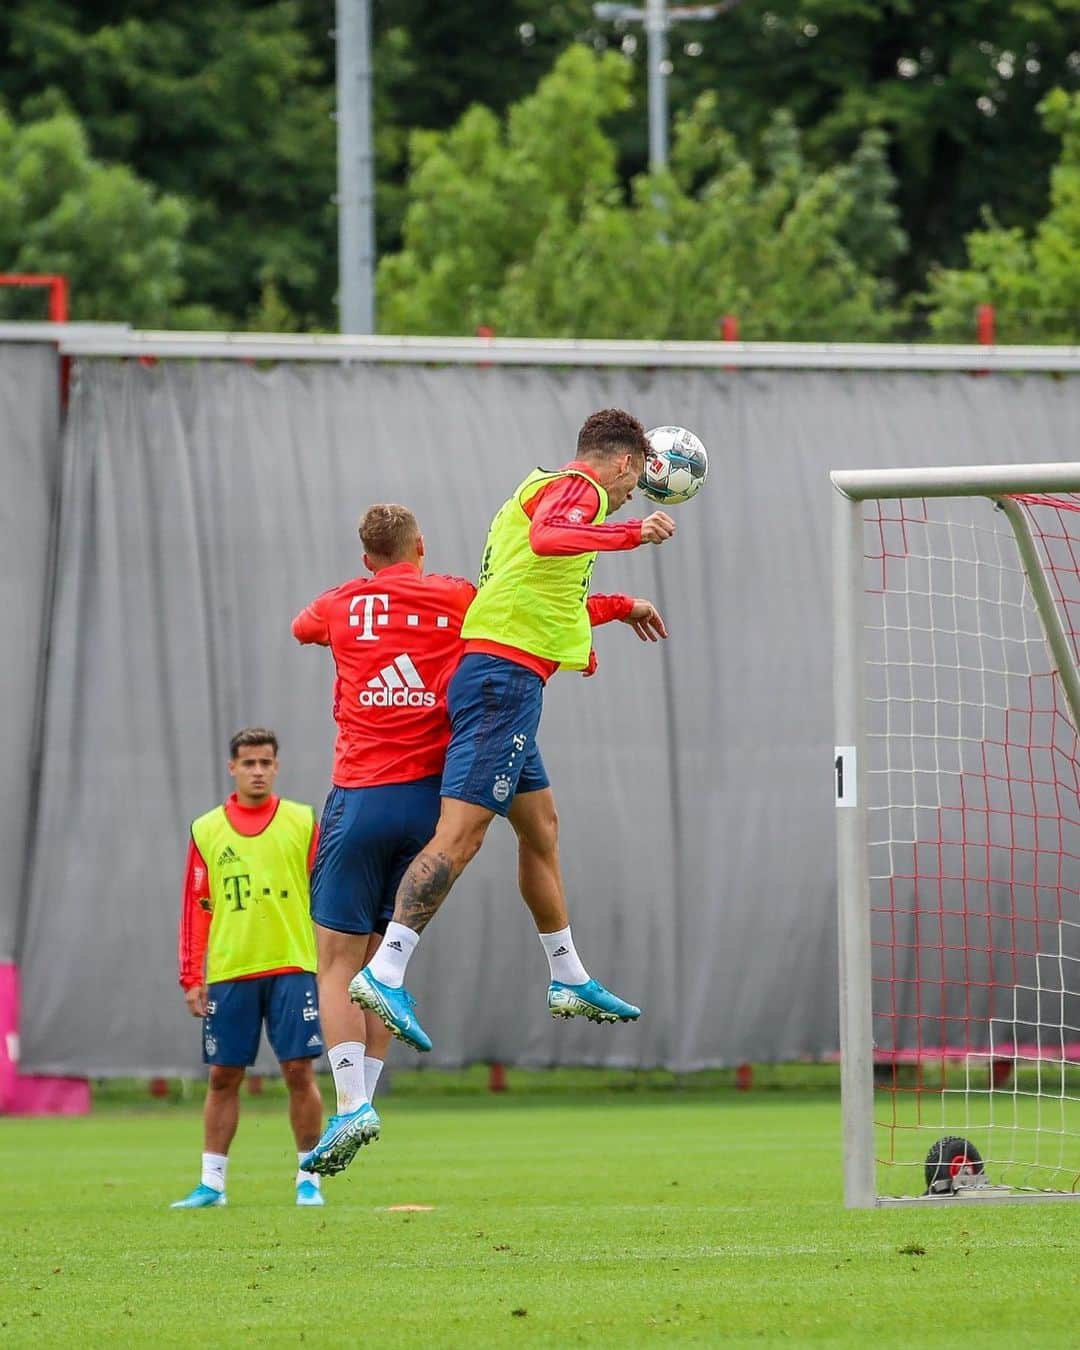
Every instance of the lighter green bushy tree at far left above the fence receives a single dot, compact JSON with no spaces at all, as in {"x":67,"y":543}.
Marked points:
{"x":117,"y":238}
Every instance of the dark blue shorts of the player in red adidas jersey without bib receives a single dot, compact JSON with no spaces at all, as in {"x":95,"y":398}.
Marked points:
{"x":367,"y":840}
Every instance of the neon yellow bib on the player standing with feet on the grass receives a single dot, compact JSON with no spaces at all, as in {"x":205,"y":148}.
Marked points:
{"x":259,"y":893}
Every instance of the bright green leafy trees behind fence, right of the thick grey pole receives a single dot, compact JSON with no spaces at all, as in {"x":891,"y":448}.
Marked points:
{"x":526,"y":226}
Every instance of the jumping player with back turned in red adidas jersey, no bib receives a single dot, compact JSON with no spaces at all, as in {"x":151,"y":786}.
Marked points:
{"x":396,"y":642}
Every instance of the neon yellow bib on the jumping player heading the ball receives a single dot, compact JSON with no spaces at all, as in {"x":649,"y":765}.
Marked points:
{"x":535,"y":604}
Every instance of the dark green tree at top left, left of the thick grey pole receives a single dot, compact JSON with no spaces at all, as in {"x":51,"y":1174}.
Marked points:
{"x":223,"y":105}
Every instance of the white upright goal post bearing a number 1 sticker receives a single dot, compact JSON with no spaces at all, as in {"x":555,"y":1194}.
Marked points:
{"x":857,"y":1027}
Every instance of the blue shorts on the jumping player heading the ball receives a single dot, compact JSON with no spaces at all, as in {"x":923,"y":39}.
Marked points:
{"x":495,"y":711}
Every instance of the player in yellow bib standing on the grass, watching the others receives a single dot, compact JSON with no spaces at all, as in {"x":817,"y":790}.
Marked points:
{"x":245,"y":915}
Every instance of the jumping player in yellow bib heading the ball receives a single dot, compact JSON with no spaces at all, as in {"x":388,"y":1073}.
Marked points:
{"x":530,"y":619}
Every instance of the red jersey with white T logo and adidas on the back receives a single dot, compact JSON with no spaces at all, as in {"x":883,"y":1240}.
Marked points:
{"x":396,"y":641}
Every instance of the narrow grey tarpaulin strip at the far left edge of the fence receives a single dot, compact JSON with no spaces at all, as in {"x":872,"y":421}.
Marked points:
{"x":30,"y":462}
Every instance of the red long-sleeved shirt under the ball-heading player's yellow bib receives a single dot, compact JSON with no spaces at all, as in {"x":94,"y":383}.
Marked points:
{"x":562,"y":516}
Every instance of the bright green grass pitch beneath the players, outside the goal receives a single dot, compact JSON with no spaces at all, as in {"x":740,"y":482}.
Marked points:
{"x":576,"y":1216}
